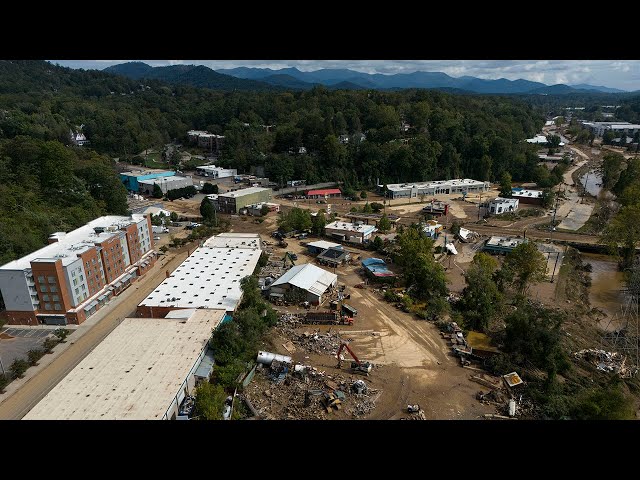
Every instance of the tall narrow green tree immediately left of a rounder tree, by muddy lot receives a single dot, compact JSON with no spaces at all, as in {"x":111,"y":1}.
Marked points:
{"x":481,"y":299}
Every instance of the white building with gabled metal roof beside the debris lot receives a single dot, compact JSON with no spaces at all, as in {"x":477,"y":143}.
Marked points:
{"x":315,"y":281}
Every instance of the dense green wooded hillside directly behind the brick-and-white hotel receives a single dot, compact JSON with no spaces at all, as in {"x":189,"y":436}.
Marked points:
{"x":47,"y":187}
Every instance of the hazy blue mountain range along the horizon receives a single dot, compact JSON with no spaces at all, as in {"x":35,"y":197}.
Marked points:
{"x":246,"y":78}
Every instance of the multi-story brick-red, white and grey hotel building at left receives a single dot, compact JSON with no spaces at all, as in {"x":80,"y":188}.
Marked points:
{"x":72,"y":277}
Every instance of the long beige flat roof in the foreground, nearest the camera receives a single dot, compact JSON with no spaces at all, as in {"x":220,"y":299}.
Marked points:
{"x":134,"y":373}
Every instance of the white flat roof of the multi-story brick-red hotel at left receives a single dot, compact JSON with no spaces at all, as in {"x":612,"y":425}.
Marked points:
{"x":71,"y":244}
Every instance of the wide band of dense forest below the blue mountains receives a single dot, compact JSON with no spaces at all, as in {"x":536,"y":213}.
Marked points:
{"x":448,"y":136}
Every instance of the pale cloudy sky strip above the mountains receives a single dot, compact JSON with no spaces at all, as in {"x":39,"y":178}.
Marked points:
{"x":622,"y":74}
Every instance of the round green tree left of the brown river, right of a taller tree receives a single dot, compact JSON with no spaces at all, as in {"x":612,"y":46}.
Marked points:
{"x":525,"y":265}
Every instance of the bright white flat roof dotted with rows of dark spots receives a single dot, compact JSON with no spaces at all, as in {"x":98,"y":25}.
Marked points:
{"x":209,"y":278}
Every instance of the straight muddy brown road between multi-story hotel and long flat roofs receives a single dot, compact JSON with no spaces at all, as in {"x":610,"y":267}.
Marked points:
{"x":28,"y":395}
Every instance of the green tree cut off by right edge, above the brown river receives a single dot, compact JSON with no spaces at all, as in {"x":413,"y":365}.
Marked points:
{"x":622,"y":234}
